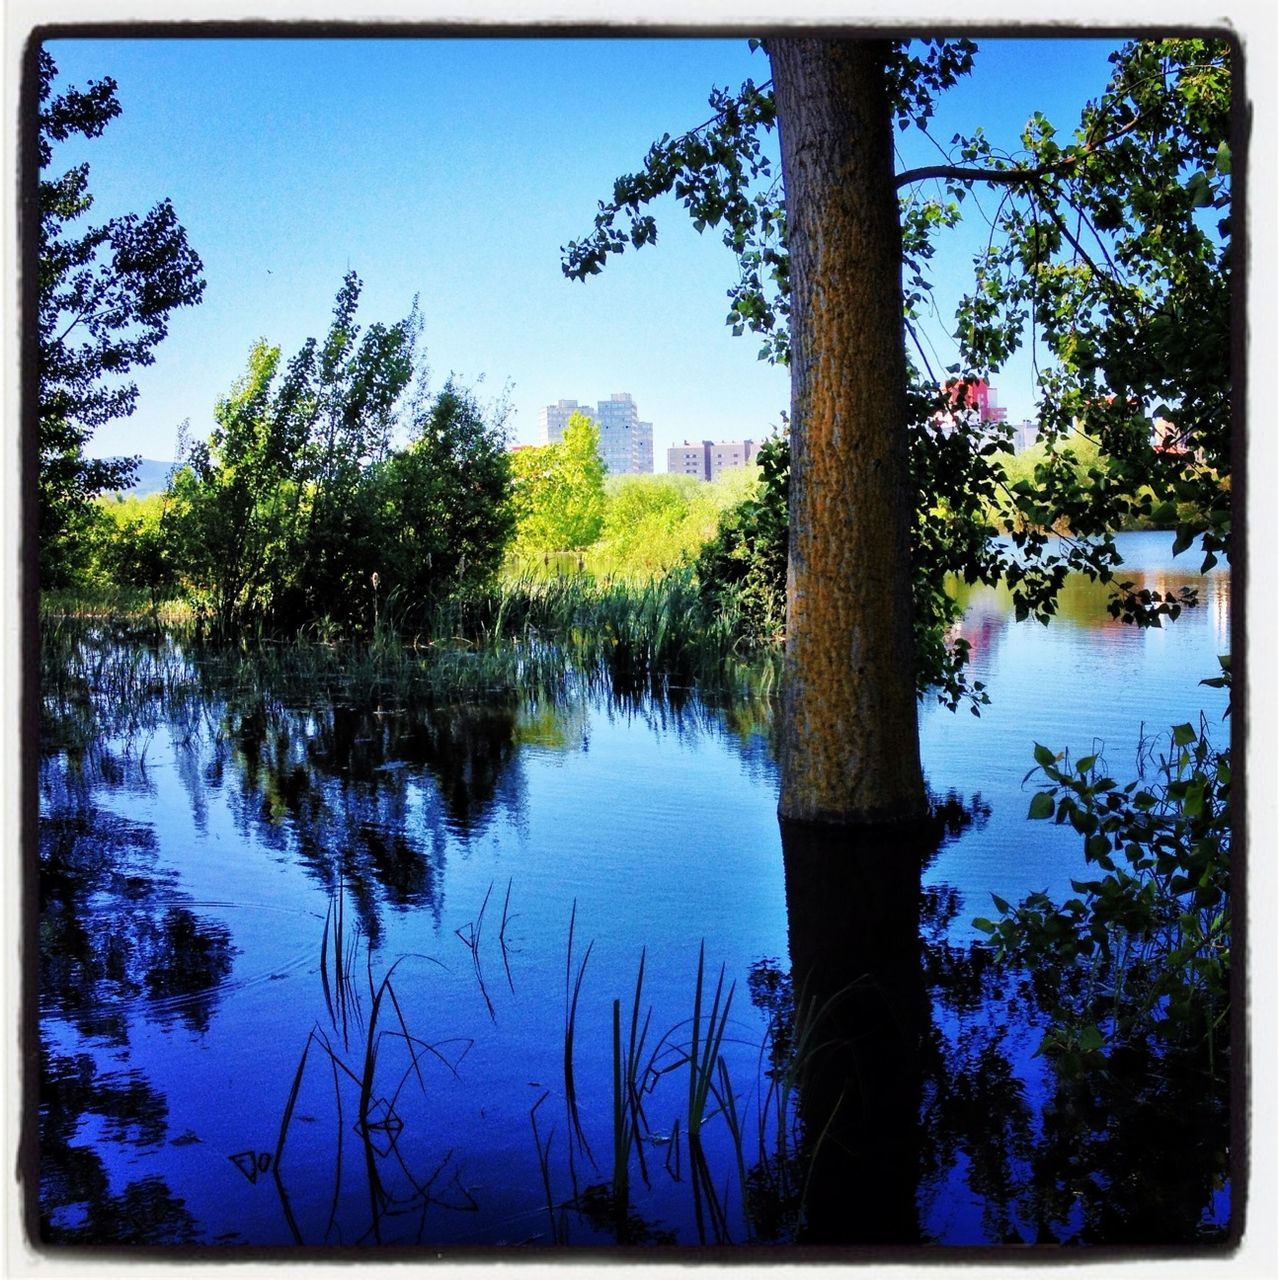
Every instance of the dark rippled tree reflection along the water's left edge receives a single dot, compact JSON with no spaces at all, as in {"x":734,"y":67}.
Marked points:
{"x":115,"y":938}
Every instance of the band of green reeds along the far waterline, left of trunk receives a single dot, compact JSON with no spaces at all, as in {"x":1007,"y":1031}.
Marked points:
{"x":524,"y":638}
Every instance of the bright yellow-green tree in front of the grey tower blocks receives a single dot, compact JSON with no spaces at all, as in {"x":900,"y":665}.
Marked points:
{"x":559,"y":491}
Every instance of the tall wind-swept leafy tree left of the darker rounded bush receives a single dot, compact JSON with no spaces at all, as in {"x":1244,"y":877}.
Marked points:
{"x":276,"y":509}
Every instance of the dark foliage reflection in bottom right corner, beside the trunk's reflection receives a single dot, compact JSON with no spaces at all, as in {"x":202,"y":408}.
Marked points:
{"x":1132,"y":1153}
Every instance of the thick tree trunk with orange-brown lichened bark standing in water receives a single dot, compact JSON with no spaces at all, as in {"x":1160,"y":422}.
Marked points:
{"x":851,"y":748}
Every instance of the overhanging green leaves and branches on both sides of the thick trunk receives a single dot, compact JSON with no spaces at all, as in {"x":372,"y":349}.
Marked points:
{"x":1116,"y":246}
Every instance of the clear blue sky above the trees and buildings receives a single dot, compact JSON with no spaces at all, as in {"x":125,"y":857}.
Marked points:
{"x":455,"y":171}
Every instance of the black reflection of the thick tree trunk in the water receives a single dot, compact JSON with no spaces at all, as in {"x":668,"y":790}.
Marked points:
{"x":853,"y":916}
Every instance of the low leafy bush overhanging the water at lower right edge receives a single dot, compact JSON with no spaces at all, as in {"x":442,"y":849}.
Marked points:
{"x":1142,"y":954}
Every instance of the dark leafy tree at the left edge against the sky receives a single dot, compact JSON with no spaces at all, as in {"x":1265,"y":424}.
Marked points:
{"x":103,"y":307}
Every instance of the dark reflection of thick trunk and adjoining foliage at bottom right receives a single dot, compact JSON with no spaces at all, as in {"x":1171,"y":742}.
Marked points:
{"x":929,"y":1094}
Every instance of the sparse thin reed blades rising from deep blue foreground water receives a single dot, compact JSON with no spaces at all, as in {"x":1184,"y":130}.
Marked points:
{"x":740,"y":1164}
